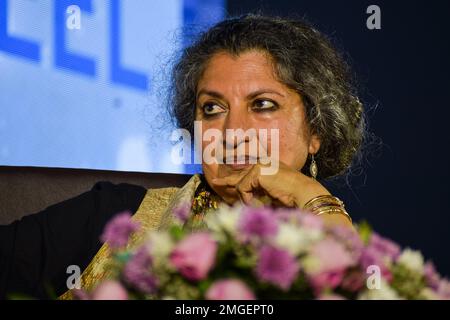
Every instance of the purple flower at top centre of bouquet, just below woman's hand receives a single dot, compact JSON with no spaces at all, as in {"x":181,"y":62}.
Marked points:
{"x":258,"y":223}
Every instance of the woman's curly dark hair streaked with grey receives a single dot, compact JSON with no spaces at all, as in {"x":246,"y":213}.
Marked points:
{"x":305,"y":60}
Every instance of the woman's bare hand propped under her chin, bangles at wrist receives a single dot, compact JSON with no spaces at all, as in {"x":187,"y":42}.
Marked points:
{"x":288,"y":187}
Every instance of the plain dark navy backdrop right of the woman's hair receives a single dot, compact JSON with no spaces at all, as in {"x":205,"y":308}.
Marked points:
{"x":404,"y":71}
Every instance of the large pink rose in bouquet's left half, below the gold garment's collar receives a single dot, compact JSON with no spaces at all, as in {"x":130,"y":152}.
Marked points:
{"x":195,"y":255}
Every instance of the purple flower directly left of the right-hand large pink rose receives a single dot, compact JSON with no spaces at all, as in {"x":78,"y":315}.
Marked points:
{"x":277,"y":266}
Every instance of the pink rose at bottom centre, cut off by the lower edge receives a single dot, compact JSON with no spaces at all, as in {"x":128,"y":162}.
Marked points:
{"x":229,"y":289}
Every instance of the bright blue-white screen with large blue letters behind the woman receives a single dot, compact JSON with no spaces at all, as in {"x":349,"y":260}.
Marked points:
{"x":80,"y":80}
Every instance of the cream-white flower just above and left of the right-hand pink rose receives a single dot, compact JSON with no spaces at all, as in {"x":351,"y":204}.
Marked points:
{"x":295,"y":239}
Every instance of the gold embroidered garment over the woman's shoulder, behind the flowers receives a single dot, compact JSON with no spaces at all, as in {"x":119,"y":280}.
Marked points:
{"x":155,"y":212}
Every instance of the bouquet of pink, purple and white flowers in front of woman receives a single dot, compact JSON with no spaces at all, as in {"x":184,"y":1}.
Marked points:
{"x":249,"y":253}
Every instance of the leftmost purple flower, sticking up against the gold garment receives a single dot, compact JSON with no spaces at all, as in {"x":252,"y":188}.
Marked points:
{"x":118,"y":230}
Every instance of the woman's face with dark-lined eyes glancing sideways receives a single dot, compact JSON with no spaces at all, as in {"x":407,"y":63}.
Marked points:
{"x":242,"y":92}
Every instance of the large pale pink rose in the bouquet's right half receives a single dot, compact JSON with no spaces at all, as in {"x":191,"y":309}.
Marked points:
{"x":331,"y":255}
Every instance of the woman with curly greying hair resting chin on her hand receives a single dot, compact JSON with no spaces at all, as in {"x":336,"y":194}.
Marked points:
{"x":252,"y":72}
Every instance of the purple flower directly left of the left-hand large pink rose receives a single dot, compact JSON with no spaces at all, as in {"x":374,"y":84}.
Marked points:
{"x":137,"y":272}
